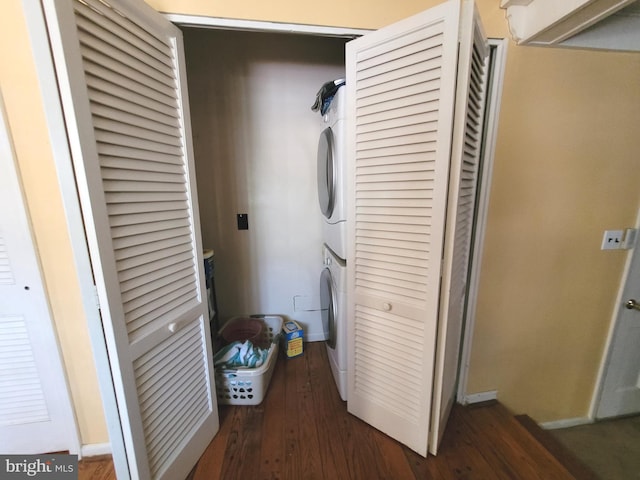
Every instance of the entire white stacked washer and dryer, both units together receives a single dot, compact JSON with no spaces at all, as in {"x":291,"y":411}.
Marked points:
{"x":331,"y":196}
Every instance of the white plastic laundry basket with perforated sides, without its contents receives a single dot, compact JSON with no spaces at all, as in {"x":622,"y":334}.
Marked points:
{"x":244,"y":385}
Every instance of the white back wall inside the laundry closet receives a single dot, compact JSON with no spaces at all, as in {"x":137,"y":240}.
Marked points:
{"x":255,"y":140}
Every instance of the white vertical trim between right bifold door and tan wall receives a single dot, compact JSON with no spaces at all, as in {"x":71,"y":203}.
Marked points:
{"x":499,"y":47}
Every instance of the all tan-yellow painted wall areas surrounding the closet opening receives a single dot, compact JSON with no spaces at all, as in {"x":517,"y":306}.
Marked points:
{"x":565,"y":146}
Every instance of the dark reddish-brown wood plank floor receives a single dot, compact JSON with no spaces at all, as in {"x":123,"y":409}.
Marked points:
{"x":302,"y":431}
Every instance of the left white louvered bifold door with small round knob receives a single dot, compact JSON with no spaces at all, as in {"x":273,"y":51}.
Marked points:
{"x":121,"y":77}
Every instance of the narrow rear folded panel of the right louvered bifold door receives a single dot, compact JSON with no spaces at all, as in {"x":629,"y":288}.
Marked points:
{"x":465,"y":158}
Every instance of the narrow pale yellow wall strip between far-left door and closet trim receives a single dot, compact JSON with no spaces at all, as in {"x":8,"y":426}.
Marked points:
{"x":25,"y":114}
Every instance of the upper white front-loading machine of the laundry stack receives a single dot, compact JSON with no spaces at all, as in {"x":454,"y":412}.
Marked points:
{"x":331,"y":175}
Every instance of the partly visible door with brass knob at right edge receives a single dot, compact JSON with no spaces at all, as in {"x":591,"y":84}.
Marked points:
{"x":621,"y":385}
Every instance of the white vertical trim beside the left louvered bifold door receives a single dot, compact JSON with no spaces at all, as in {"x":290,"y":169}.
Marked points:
{"x":66,"y":180}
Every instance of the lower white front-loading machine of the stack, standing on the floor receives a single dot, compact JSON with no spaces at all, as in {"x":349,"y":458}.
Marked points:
{"x":333,"y":292}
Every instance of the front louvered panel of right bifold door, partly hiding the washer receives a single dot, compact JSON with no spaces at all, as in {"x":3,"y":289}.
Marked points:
{"x":401,"y":104}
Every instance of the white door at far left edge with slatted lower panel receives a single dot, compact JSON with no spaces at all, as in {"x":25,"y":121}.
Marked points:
{"x":35,"y":408}
